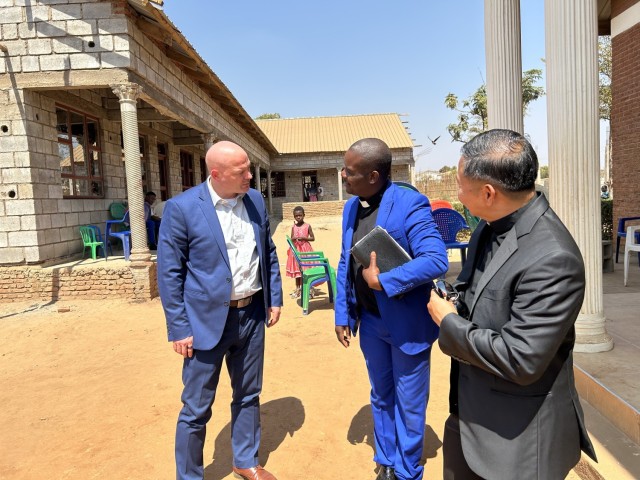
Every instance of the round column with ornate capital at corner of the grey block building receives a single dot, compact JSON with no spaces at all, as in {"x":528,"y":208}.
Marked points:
{"x":128,"y":94}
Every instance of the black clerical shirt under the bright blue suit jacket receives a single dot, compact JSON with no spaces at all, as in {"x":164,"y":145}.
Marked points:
{"x":365,"y":222}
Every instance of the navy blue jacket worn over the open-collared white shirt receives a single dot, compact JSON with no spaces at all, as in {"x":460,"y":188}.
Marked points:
{"x":194,"y":277}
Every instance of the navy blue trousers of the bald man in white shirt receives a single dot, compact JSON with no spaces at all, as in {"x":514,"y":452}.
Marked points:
{"x":242,"y":343}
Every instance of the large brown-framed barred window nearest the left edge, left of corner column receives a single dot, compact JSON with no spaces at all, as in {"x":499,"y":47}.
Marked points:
{"x":80,"y":154}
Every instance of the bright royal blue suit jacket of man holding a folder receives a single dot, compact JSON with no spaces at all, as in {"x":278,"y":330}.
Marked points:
{"x":406,"y":215}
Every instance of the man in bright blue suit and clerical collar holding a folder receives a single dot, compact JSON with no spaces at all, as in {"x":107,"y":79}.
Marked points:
{"x":390,"y":309}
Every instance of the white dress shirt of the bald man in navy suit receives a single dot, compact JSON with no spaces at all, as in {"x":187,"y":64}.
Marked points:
{"x":240,"y":241}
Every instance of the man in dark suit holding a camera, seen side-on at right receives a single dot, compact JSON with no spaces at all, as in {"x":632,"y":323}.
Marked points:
{"x":515,"y":412}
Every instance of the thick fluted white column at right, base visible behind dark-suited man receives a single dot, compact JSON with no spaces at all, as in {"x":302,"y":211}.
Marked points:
{"x":574,"y":164}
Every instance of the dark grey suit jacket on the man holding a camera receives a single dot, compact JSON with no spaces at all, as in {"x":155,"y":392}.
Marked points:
{"x":520,"y":416}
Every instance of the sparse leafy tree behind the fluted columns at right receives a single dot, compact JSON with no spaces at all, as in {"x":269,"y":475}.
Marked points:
{"x":472,"y":112}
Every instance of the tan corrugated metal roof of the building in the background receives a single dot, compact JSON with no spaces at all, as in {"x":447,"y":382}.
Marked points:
{"x":334,"y":134}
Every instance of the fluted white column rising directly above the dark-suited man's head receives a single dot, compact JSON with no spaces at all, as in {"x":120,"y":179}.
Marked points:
{"x":504,"y":64}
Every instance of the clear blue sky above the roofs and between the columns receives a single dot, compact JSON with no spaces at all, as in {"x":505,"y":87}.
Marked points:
{"x":305,"y":59}
